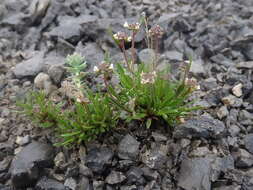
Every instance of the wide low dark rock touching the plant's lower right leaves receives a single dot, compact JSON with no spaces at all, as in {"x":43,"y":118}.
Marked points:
{"x":203,"y":127}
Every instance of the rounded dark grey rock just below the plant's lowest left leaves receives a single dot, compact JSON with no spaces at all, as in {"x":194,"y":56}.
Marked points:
{"x":99,"y":159}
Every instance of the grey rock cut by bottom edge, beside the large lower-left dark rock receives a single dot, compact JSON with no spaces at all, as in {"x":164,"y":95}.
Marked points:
{"x":49,"y":184}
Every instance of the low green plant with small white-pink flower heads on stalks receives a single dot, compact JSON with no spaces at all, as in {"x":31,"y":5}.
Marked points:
{"x":144,"y":93}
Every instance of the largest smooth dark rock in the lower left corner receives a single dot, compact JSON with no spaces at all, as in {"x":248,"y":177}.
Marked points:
{"x":27,"y":164}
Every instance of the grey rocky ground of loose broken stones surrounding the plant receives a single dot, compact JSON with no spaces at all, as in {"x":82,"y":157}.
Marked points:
{"x":214,"y":150}
